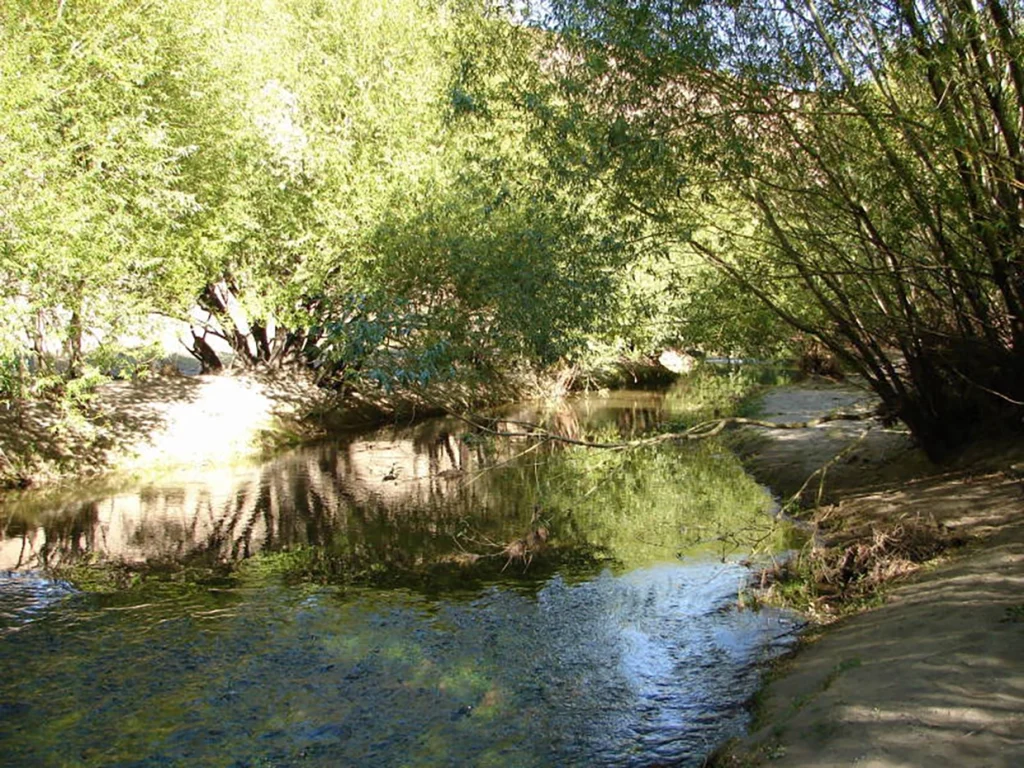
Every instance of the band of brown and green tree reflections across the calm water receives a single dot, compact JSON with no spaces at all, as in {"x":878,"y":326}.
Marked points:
{"x":435,"y":497}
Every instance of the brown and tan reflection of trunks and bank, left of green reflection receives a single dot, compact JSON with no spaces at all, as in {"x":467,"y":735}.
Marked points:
{"x":334,"y":497}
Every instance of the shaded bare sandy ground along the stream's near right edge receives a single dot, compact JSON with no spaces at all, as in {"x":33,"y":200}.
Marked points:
{"x":933,"y":677}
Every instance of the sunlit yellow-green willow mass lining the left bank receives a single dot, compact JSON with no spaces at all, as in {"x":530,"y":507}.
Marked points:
{"x":326,"y":181}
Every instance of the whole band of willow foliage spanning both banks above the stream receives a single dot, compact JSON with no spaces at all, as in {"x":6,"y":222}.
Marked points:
{"x":419,"y":190}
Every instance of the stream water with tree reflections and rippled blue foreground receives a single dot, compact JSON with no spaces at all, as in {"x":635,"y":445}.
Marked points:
{"x":423,"y":595}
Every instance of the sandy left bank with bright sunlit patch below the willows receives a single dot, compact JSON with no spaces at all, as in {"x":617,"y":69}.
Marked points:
{"x":170,"y":421}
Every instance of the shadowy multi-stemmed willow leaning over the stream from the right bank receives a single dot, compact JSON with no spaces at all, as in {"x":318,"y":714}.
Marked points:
{"x":856,"y":165}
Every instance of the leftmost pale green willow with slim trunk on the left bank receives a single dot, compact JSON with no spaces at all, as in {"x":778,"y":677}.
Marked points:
{"x":101,"y":110}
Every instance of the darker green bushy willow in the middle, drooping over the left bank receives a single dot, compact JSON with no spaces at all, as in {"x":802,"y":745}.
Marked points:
{"x":484,"y":262}
